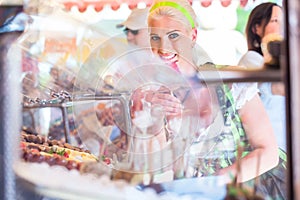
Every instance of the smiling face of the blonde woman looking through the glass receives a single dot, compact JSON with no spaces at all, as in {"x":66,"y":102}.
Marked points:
{"x":172,"y":42}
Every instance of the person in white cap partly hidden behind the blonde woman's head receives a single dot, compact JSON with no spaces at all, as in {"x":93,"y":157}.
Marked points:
{"x":135,"y":27}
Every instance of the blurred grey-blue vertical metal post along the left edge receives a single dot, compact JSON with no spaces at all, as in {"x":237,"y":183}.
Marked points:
{"x":9,"y":115}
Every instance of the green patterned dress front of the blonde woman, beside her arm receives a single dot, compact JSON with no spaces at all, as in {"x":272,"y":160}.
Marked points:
{"x":223,"y":146}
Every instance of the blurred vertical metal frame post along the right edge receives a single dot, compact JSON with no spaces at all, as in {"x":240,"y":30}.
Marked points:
{"x":292,"y":74}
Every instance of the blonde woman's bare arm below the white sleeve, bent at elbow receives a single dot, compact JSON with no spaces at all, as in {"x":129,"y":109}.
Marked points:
{"x":261,"y":137}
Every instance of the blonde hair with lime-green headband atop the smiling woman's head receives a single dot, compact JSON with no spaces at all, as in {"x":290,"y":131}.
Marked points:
{"x":179,"y":10}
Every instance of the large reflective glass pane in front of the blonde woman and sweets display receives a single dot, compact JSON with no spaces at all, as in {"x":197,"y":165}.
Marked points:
{"x":144,"y":118}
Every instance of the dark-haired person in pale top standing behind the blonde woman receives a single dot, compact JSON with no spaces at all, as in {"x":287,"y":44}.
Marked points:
{"x":264,"y":20}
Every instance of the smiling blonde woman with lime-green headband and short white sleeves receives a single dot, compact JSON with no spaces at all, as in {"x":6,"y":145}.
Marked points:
{"x":173,"y":34}
